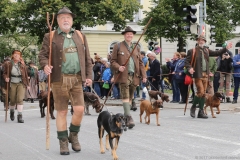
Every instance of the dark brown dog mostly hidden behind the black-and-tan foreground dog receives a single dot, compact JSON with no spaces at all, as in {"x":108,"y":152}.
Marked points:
{"x":91,"y":99}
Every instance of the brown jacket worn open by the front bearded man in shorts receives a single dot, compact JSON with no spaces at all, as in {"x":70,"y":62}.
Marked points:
{"x":56,"y":59}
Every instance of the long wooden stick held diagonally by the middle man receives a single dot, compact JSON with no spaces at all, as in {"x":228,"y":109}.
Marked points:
{"x":115,"y":80}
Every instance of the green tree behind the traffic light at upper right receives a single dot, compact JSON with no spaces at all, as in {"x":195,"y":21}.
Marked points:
{"x":168,"y":21}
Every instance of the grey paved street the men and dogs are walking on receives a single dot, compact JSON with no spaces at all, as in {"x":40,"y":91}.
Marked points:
{"x":179,"y":137}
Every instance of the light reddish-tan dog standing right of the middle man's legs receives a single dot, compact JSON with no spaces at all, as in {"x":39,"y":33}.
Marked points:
{"x":150,"y":108}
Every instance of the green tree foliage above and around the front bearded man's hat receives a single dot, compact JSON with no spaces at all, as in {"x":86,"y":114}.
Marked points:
{"x":30,"y":16}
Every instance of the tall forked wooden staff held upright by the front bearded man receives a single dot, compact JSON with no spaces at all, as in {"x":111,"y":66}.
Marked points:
{"x":49,"y":81}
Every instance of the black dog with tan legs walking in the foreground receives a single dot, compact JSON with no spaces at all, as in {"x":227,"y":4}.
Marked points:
{"x":114,"y":126}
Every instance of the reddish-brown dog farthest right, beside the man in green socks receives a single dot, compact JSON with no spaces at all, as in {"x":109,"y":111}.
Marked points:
{"x":213,"y":101}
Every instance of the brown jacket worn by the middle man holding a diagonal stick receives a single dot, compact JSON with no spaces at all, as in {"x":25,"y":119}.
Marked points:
{"x":119,"y":57}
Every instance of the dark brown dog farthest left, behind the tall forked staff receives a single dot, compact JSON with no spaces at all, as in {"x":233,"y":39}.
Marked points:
{"x":43,"y":103}
